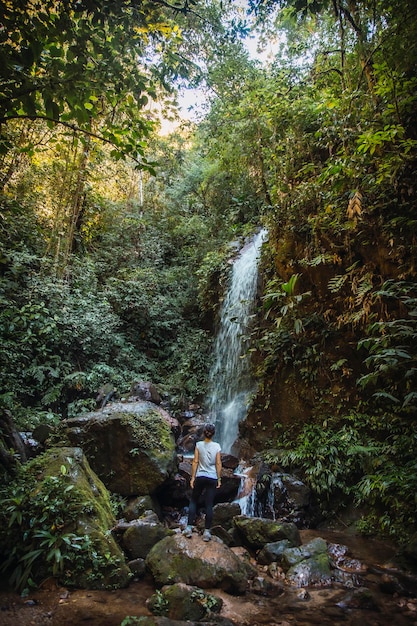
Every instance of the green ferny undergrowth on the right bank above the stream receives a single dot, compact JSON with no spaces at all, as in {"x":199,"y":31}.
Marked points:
{"x":365,"y":459}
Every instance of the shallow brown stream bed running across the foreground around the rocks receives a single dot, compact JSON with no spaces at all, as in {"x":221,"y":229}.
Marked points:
{"x":382,"y":595}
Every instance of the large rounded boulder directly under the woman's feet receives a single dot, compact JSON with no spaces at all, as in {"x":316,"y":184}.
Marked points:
{"x":195,"y":562}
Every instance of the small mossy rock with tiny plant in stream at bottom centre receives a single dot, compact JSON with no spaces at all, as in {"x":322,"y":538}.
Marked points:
{"x":184,"y":602}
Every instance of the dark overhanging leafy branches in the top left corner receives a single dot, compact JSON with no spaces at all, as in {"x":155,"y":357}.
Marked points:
{"x":87,"y":68}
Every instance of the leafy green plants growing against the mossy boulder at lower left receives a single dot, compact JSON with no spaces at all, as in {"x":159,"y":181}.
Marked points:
{"x":38,"y":516}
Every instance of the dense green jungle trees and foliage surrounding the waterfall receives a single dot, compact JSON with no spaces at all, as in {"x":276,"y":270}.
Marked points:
{"x":116,"y":239}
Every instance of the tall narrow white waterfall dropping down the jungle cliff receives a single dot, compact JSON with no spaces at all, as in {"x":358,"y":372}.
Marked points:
{"x":230,"y":377}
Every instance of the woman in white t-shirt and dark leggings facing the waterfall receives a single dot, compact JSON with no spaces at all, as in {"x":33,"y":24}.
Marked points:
{"x":205,"y":476}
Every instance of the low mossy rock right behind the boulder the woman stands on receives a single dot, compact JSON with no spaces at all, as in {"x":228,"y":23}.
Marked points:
{"x":256,"y":532}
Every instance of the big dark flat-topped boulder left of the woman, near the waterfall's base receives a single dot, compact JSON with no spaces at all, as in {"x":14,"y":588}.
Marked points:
{"x":129,"y":445}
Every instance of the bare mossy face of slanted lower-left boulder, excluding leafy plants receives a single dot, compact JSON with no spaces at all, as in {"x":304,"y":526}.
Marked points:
{"x":68,"y":489}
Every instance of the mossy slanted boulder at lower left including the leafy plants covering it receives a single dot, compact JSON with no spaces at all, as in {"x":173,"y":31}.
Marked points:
{"x":55,"y":519}
